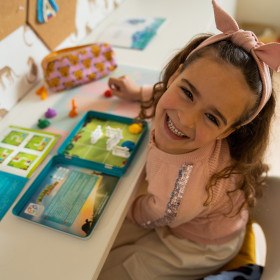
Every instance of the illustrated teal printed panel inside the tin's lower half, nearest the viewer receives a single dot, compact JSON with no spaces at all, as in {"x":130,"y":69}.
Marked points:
{"x":69,"y":198}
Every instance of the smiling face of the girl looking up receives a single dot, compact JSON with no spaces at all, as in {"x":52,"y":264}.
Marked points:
{"x":200,"y":105}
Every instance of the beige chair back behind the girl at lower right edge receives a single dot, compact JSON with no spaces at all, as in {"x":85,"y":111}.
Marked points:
{"x":267,"y":215}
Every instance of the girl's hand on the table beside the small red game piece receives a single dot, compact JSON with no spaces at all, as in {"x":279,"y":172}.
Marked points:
{"x":125,"y":87}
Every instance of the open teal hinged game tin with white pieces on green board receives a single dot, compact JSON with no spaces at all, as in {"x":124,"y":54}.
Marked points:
{"x":72,"y":190}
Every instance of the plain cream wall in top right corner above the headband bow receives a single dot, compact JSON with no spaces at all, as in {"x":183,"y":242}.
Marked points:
{"x":259,"y":11}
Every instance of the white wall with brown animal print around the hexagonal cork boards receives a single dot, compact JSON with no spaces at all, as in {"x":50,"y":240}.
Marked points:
{"x":22,"y":51}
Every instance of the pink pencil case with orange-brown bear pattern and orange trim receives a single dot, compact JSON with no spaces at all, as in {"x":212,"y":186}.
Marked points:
{"x":74,"y":66}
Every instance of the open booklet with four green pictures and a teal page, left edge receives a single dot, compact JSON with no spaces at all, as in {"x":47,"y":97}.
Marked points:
{"x":21,"y":151}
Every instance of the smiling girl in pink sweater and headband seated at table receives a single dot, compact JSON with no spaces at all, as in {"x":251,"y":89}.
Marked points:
{"x":212,"y":113}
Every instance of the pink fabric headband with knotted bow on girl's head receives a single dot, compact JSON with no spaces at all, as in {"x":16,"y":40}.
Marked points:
{"x":264,"y":55}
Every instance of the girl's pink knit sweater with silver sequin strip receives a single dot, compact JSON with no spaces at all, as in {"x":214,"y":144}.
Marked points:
{"x":176,"y":195}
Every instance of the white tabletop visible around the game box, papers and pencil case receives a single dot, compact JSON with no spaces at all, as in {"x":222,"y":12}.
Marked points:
{"x":29,"y":251}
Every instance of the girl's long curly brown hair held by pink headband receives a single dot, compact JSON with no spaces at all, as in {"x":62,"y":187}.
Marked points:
{"x":247,"y":143}
